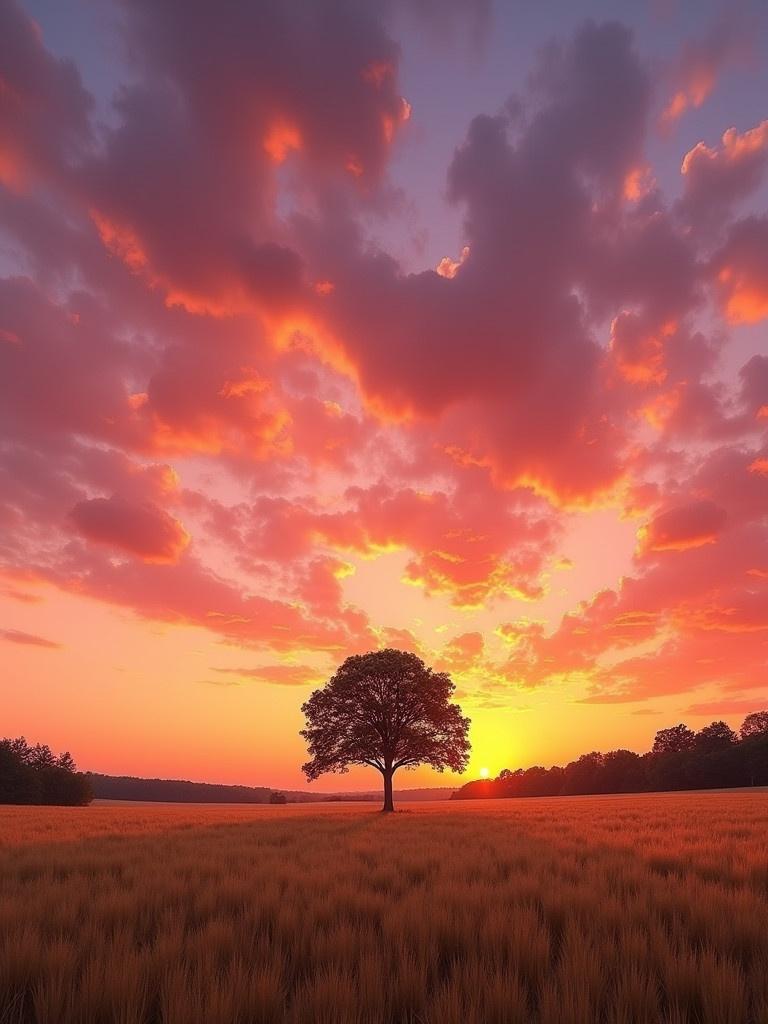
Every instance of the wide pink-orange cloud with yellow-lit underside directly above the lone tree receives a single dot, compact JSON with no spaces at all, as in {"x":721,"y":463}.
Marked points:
{"x":467,"y":542}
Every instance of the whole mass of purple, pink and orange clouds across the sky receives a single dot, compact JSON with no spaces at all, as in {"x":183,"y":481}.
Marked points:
{"x":202,"y":326}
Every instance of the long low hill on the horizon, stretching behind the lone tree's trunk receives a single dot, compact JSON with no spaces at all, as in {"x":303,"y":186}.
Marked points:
{"x":175,"y":791}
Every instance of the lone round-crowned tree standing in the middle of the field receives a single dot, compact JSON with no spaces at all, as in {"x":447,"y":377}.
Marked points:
{"x":387,"y":710}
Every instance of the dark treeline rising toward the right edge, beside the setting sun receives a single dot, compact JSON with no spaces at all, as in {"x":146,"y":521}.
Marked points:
{"x":714,"y":758}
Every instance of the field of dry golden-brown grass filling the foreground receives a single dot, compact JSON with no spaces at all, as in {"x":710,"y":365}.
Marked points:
{"x":643,"y":909}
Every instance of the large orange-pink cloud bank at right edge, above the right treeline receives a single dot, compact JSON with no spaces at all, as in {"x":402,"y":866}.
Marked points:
{"x":692,"y":613}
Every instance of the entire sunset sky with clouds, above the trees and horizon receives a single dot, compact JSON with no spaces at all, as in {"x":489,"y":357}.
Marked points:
{"x":334,"y":326}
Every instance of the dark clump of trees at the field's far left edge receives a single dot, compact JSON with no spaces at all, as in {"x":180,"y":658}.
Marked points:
{"x":36,"y":776}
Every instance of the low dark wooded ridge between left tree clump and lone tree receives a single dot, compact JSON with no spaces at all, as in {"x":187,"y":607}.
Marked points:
{"x":181,"y":792}
